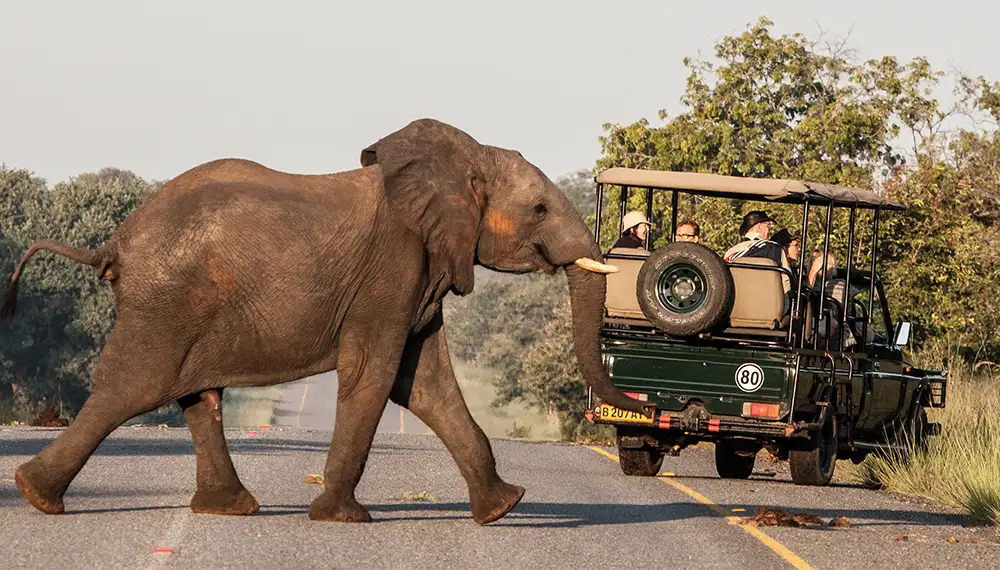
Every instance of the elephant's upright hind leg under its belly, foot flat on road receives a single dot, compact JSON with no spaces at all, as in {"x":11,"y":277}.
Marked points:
{"x":219,"y":491}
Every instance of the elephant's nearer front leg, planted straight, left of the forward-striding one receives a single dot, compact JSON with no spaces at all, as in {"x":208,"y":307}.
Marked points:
{"x":365,"y":373}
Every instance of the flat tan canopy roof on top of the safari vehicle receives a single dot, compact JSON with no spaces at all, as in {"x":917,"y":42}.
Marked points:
{"x":774,"y":189}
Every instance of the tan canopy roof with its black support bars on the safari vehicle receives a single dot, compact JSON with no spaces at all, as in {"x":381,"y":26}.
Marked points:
{"x":779,"y":191}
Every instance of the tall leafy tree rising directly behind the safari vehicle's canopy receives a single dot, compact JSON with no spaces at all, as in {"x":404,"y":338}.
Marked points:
{"x":776,"y":107}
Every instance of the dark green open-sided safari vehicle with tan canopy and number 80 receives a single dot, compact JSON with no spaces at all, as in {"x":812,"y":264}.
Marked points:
{"x":722,"y":353}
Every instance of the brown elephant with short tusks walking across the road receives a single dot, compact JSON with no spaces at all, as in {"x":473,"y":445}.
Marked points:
{"x":237,"y":275}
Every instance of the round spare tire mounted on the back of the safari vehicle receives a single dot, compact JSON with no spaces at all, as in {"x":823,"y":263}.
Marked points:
{"x":685,"y":289}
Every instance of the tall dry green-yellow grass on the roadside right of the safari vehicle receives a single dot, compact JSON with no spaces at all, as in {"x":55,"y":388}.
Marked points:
{"x":961,"y":466}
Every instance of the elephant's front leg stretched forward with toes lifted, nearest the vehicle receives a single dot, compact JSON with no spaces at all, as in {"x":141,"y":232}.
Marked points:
{"x":426,"y":385}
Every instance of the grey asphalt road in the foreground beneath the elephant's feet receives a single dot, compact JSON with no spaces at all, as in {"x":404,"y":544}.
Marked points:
{"x":580,"y":511}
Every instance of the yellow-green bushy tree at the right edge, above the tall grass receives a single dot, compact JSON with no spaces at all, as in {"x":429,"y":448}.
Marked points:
{"x":941,"y":254}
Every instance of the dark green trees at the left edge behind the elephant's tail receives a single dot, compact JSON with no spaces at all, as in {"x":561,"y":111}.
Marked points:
{"x":64,"y":313}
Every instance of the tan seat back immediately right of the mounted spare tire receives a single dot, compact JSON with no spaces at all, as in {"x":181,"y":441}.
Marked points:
{"x":760,"y":297}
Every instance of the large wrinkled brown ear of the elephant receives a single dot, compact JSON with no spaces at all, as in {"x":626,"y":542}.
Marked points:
{"x":431,"y":178}
